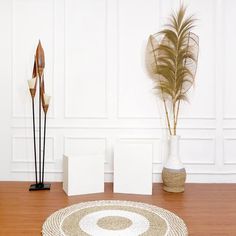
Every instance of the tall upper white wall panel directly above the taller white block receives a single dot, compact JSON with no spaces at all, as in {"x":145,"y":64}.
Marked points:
{"x":136,"y":21}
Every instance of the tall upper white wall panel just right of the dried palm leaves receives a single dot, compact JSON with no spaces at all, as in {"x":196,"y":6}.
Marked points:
{"x":202,"y":96}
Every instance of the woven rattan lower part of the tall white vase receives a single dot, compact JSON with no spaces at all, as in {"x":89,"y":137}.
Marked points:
{"x":173,"y":180}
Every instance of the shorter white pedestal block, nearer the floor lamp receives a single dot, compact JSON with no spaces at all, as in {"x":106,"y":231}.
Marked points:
{"x":83,"y":174}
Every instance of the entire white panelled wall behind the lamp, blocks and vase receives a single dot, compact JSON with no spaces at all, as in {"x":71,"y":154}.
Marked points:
{"x":95,"y":71}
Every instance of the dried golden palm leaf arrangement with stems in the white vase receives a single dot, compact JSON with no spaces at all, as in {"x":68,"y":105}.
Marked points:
{"x":171,"y":59}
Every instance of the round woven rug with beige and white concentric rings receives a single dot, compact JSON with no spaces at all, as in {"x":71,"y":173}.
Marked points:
{"x":113,"y":218}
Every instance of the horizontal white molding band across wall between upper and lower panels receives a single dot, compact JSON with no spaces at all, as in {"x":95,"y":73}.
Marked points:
{"x":117,"y":124}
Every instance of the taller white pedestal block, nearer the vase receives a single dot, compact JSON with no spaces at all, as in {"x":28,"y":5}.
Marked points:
{"x":133,"y":168}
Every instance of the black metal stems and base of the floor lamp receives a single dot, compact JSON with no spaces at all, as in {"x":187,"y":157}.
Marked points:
{"x":39,"y":184}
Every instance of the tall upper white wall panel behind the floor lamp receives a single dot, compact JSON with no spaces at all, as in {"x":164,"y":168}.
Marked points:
{"x":31,"y":21}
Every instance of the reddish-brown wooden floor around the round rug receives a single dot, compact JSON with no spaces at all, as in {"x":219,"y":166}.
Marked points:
{"x":207,"y":209}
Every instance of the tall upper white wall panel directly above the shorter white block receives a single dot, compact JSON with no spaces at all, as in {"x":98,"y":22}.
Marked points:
{"x":88,"y":61}
